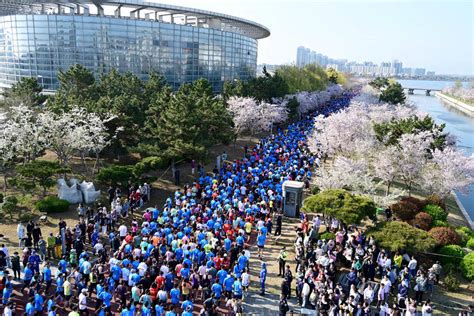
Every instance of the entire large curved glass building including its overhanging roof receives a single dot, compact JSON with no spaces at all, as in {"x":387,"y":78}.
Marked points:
{"x":39,"y":37}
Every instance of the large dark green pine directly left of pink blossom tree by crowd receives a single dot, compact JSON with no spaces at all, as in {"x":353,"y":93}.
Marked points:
{"x":187,"y":123}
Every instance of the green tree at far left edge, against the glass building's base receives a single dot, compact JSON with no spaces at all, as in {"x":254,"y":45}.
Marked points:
{"x":27,"y":91}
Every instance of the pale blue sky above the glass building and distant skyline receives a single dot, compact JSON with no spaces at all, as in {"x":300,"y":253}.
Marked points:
{"x":436,"y":35}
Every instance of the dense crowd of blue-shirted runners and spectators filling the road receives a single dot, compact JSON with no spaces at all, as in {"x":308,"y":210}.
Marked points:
{"x":191,"y":255}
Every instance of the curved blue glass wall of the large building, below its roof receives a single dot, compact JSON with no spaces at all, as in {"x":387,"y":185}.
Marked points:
{"x":39,"y":45}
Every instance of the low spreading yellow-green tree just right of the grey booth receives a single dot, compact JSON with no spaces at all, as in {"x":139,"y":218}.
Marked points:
{"x":347,"y":207}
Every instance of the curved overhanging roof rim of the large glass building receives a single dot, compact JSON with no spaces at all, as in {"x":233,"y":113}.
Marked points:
{"x":138,"y":9}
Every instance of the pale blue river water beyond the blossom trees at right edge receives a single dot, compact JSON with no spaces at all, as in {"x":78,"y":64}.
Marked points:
{"x":457,"y":123}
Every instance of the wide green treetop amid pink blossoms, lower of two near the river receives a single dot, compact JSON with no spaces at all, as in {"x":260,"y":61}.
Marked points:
{"x":390,"y":132}
